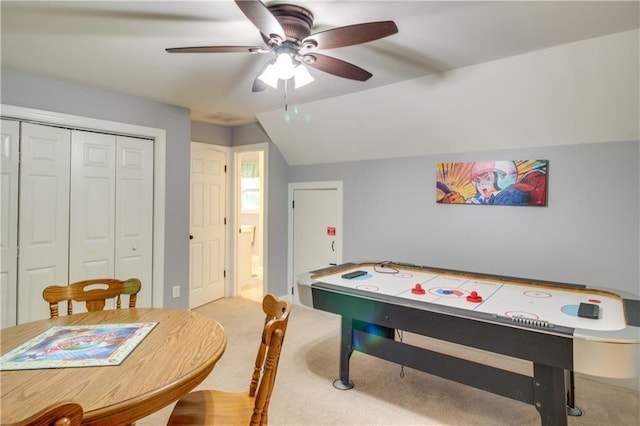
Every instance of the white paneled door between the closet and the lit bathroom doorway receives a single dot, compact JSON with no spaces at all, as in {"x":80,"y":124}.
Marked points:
{"x":207,"y":248}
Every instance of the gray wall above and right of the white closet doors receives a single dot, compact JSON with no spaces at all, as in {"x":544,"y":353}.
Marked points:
{"x":28,"y":91}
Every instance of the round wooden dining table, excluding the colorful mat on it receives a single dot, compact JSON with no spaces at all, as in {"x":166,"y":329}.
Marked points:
{"x":176,"y":356}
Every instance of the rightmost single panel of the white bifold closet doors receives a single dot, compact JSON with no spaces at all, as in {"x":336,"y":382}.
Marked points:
{"x":134,"y":213}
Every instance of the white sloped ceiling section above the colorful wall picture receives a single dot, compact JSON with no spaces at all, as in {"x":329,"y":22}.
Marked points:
{"x":577,"y":93}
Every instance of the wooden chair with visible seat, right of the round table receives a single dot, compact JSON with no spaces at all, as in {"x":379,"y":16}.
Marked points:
{"x":214,"y":407}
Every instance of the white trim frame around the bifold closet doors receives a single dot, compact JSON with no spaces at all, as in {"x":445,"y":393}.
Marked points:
{"x":159,"y":170}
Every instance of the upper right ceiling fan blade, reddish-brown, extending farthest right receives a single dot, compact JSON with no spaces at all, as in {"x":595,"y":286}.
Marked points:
{"x":351,"y":34}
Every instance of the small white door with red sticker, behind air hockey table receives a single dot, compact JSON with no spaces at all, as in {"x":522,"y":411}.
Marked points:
{"x":316,"y":228}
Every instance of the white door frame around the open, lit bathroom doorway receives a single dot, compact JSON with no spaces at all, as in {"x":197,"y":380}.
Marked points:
{"x":232,"y":283}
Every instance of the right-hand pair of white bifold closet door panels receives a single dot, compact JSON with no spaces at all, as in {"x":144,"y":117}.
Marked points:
{"x":111,"y":207}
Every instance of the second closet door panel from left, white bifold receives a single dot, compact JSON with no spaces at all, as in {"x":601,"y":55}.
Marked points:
{"x":43,"y":216}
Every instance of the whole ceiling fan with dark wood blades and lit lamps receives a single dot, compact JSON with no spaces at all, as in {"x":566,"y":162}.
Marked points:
{"x":286,"y":30}
